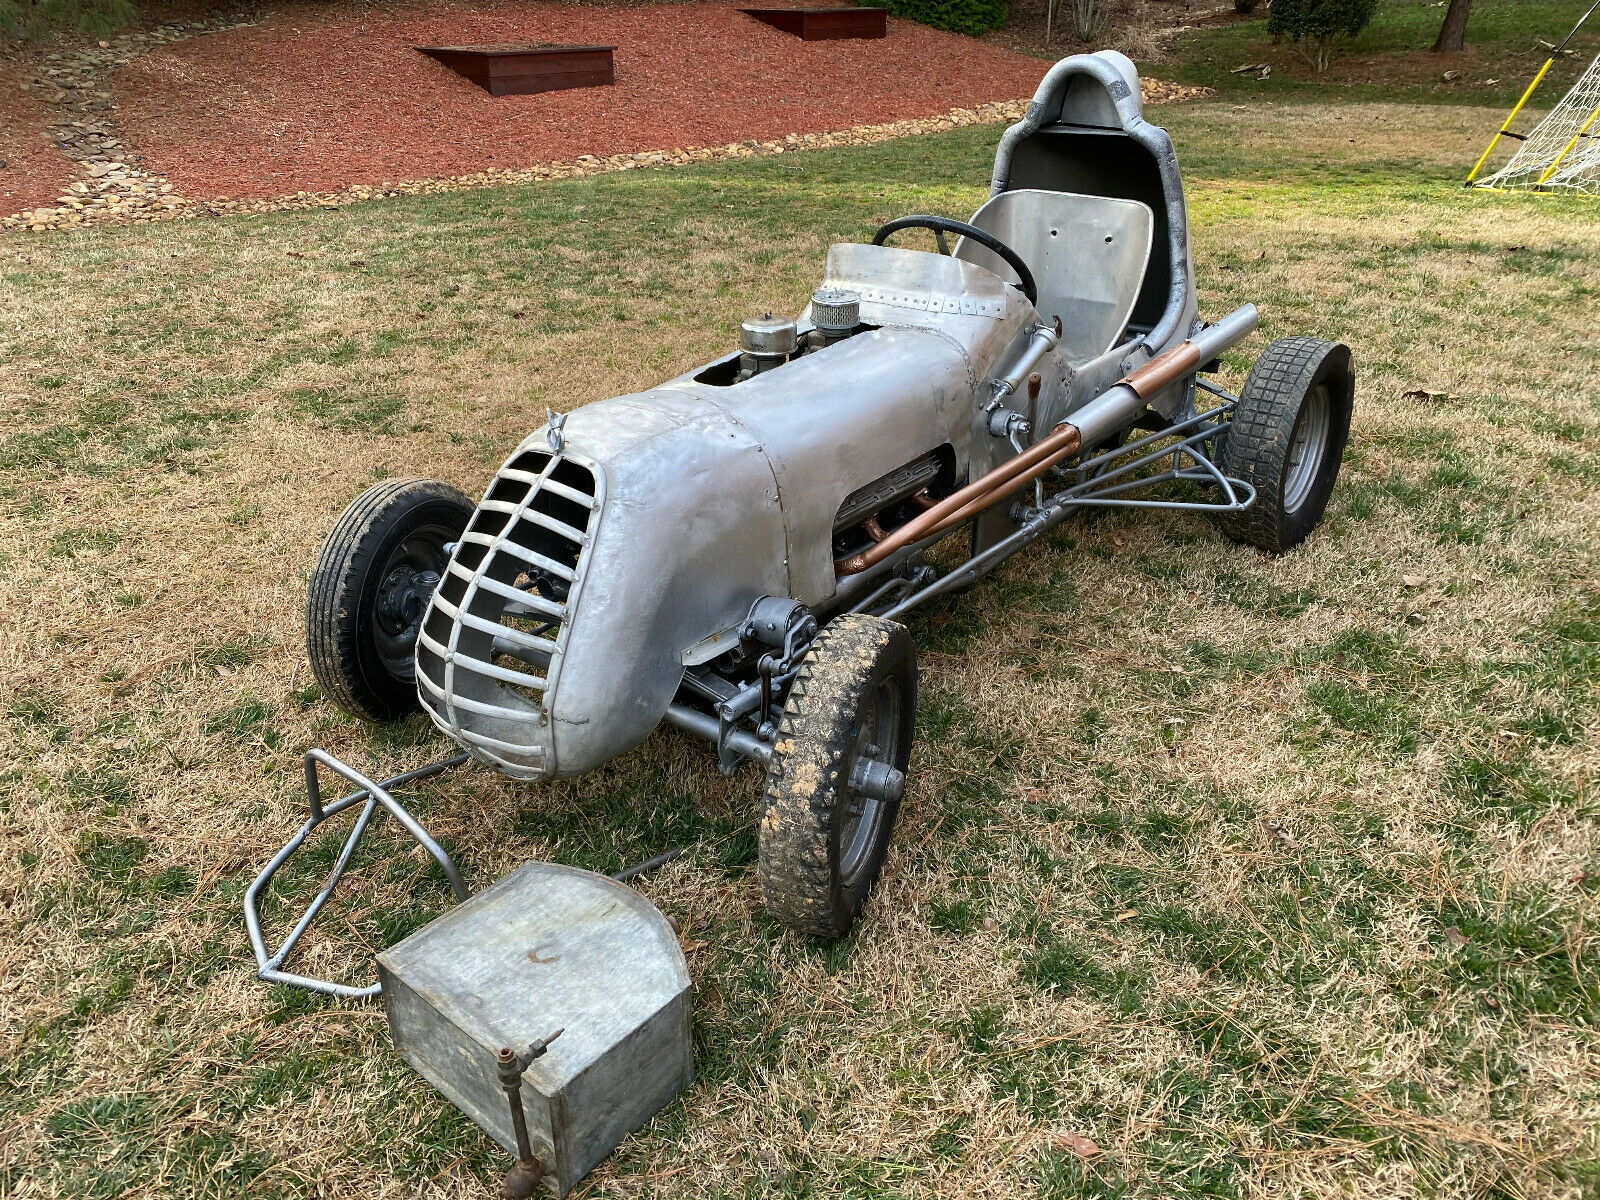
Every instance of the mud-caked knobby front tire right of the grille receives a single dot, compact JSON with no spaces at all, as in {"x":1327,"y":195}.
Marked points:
{"x":822,"y":844}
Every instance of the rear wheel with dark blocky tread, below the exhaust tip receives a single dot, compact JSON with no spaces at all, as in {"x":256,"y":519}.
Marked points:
{"x":1287,"y":441}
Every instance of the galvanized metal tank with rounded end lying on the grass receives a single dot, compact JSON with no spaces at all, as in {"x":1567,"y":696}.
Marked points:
{"x":548,"y":948}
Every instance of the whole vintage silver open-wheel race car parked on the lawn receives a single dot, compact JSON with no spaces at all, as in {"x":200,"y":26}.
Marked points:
{"x":734,"y":551}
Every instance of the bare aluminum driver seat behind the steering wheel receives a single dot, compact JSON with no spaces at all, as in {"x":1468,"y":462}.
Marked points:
{"x":1089,"y":255}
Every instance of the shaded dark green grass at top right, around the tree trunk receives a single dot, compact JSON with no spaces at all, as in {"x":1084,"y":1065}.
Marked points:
{"x":1391,"y":60}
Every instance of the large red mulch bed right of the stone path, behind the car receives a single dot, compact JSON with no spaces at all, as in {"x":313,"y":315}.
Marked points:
{"x":321,"y":100}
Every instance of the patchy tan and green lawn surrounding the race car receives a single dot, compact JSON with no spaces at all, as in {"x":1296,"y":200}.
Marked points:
{"x":1270,"y":878}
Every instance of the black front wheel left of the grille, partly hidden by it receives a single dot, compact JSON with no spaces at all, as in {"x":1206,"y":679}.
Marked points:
{"x":369,"y":591}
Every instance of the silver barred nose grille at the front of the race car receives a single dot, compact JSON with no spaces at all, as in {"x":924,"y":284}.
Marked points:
{"x":490,"y":649}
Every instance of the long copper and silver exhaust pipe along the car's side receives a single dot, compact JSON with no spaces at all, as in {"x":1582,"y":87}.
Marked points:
{"x":1100,"y":418}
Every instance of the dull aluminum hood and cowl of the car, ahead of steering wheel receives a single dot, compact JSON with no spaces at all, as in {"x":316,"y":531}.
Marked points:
{"x":718,"y":495}
